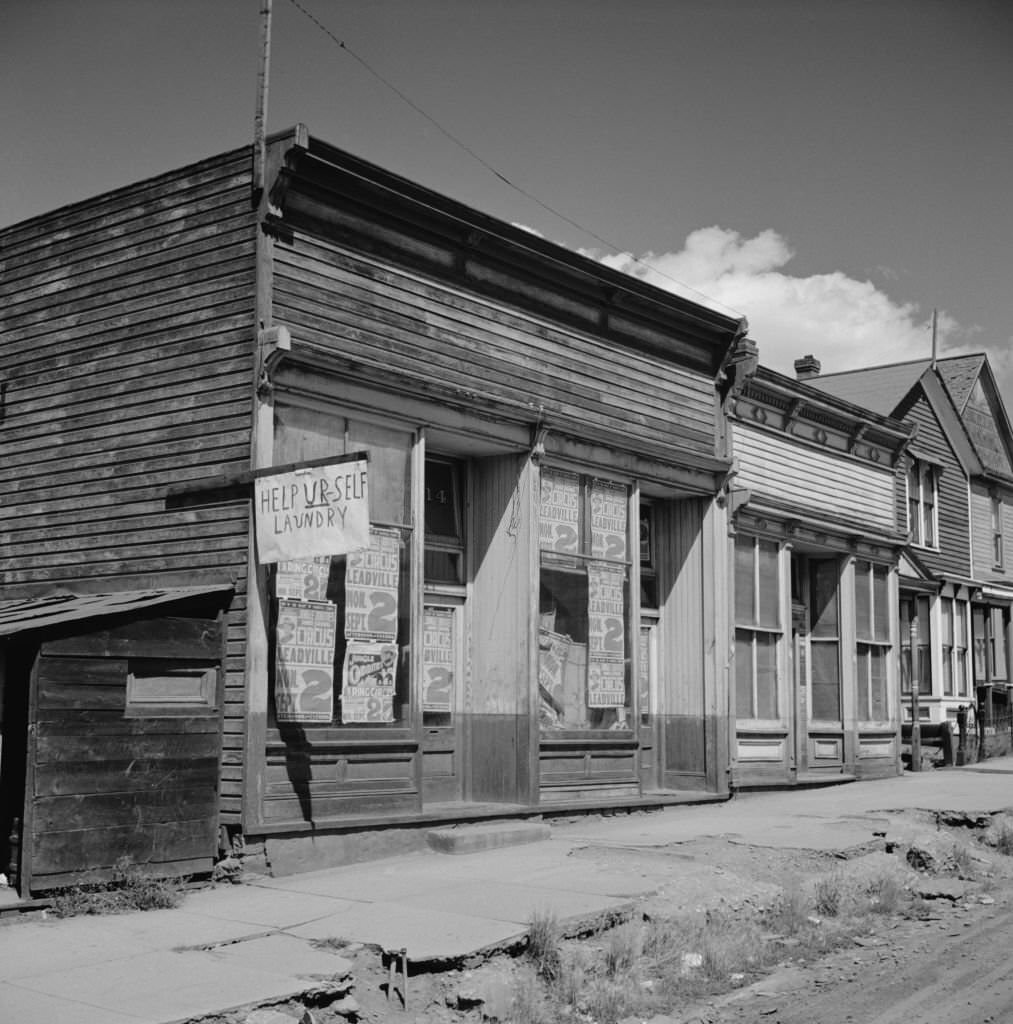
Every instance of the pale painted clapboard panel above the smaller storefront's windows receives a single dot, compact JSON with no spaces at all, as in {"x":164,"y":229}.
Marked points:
{"x":808,"y":479}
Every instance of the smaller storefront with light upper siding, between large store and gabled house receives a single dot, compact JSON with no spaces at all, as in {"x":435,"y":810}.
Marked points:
{"x":818,"y":533}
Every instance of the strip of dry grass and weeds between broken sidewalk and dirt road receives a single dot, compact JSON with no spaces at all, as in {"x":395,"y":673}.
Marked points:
{"x":648,"y":967}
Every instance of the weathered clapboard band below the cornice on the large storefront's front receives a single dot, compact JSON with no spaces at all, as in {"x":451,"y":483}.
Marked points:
{"x":386,"y":321}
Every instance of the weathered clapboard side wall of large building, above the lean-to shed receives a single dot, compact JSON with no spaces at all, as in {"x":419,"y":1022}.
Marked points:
{"x":126,"y":346}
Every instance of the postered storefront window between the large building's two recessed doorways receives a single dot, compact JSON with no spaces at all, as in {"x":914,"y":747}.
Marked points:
{"x":584,"y":671}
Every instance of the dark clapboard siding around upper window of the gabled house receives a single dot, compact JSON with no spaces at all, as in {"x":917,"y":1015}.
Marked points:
{"x":954,"y":552}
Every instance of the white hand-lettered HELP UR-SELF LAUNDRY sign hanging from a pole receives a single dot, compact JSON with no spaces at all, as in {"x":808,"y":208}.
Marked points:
{"x":323,"y":510}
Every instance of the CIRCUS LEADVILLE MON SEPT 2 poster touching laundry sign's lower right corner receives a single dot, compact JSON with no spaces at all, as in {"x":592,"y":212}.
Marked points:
{"x":371,"y":588}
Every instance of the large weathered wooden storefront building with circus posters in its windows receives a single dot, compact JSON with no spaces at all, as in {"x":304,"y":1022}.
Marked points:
{"x":537,"y":619}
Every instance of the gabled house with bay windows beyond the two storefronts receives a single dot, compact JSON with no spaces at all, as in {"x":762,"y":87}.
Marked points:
{"x":956,"y":578}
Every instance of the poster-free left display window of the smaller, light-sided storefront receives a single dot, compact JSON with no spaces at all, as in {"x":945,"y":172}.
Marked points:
{"x":757,"y":628}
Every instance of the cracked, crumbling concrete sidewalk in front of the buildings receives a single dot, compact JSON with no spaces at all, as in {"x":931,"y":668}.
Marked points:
{"x":236,"y":946}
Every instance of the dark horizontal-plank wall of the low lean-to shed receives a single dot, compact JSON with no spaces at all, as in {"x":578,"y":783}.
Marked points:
{"x":108,"y":785}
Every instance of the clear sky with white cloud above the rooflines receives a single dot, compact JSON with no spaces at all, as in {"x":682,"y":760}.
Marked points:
{"x":834,"y":170}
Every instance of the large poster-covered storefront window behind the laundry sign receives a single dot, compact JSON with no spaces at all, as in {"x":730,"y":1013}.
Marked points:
{"x":343,"y":623}
